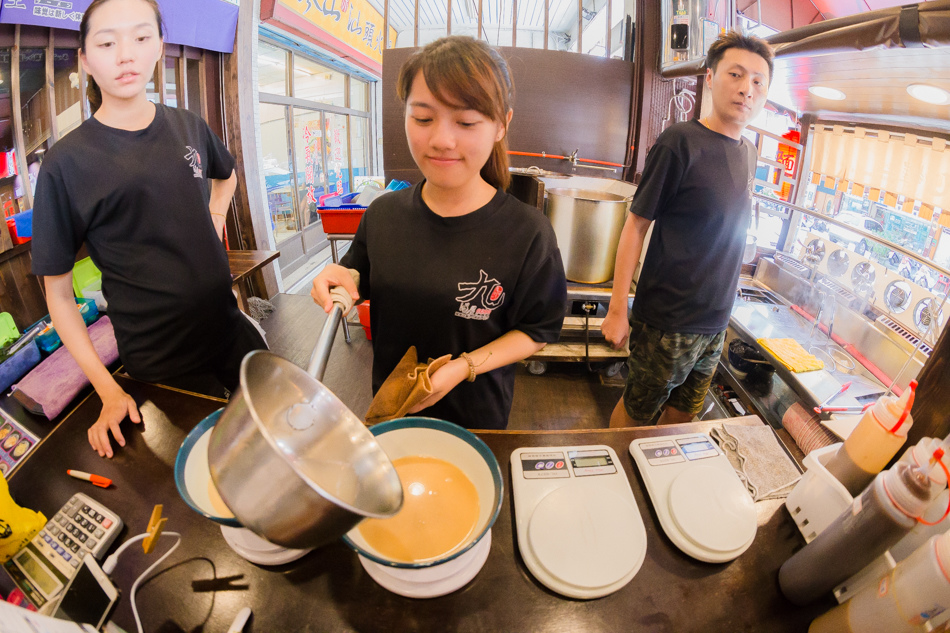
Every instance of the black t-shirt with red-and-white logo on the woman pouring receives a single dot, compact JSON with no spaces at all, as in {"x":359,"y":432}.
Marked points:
{"x":452,"y":285}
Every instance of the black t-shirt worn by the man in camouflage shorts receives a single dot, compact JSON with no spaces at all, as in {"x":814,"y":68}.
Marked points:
{"x":697,"y":186}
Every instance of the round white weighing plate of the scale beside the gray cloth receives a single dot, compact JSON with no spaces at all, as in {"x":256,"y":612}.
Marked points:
{"x":712,"y":508}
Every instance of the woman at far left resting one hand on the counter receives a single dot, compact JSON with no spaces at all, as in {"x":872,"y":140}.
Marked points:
{"x":147,"y":188}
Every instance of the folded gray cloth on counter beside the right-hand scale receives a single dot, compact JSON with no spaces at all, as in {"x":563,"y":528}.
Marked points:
{"x":763,"y":465}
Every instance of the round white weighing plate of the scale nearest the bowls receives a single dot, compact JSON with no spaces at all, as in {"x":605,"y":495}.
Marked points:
{"x":587,"y":536}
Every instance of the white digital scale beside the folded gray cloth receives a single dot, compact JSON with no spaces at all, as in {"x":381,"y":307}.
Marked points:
{"x":702,"y":505}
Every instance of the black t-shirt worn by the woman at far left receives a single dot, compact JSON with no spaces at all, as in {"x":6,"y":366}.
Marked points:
{"x":139,"y":199}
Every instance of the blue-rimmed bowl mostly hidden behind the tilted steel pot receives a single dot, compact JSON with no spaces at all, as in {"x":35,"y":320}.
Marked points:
{"x":193,"y":475}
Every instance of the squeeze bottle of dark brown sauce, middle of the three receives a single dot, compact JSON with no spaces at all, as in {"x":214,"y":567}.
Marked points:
{"x":878,"y":518}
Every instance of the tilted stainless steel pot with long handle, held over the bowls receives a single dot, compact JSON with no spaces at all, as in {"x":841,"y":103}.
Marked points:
{"x":292,"y":462}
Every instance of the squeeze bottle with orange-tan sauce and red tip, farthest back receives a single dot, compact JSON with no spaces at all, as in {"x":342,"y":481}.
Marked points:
{"x":874,"y":441}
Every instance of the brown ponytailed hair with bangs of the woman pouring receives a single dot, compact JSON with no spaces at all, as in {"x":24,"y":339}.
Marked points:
{"x":462,"y":70}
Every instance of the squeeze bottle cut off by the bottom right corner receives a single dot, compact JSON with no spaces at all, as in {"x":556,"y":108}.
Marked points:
{"x":913,"y":593}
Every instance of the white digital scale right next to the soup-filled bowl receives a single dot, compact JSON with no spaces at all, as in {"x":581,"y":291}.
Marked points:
{"x":579,"y":529}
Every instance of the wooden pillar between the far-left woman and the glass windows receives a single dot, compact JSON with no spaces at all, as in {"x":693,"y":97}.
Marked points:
{"x":241,"y":122}
